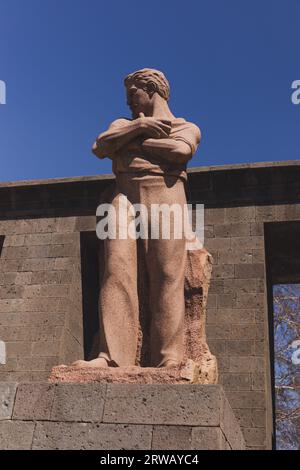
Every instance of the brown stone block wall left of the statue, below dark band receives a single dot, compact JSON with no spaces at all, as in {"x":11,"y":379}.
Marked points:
{"x":40,"y":296}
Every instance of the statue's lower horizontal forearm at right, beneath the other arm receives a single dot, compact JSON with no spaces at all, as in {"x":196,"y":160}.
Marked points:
{"x":167,"y":150}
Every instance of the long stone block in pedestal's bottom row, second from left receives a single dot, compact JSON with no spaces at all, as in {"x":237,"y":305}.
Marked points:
{"x":88,"y":436}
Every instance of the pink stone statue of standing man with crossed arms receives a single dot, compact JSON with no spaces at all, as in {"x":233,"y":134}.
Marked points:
{"x":149,"y":154}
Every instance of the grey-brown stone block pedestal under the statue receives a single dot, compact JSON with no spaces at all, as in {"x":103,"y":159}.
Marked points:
{"x":116,"y":416}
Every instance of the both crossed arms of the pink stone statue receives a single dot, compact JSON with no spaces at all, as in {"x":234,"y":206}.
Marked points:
{"x":153,"y":136}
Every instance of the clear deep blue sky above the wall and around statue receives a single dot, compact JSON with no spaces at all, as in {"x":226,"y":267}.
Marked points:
{"x":230,"y":63}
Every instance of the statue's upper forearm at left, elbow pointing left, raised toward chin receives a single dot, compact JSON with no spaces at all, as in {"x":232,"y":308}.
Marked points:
{"x":115,"y":138}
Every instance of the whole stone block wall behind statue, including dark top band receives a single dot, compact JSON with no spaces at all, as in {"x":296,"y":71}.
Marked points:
{"x":41,"y":314}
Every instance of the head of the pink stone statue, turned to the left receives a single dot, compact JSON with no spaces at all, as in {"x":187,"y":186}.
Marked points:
{"x":141,"y":87}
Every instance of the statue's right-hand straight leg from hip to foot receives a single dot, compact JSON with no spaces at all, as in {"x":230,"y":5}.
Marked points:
{"x":166,"y":259}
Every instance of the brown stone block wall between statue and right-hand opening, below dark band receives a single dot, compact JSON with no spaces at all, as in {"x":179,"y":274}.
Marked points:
{"x":237,"y":316}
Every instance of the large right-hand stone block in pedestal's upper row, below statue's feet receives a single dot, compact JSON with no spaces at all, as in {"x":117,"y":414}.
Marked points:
{"x":193,"y":405}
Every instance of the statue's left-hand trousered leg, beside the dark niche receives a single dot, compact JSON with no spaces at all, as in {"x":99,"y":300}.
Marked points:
{"x":118,"y":302}
